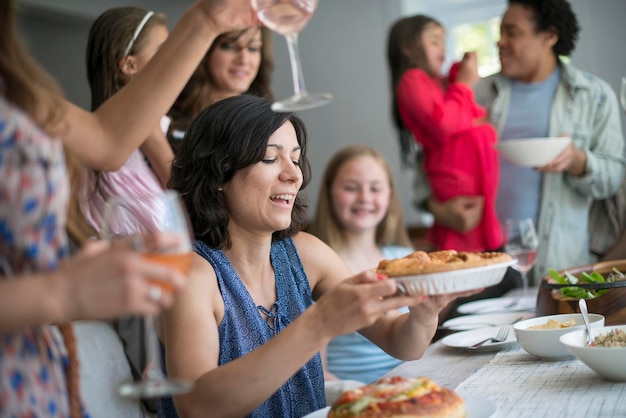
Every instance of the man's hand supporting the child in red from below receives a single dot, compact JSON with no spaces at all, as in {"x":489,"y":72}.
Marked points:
{"x":461,"y":213}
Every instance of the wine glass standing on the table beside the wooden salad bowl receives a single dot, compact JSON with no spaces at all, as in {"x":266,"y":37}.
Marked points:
{"x":521,"y":243}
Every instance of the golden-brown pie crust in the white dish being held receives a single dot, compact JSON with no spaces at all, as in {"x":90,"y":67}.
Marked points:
{"x":421,"y":262}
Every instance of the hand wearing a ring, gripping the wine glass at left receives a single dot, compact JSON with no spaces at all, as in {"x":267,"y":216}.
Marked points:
{"x":106,"y":281}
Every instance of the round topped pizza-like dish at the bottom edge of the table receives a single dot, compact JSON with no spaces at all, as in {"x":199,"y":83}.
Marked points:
{"x":399,"y":397}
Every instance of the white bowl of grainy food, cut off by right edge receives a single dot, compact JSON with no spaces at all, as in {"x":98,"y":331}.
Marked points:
{"x":608,"y":362}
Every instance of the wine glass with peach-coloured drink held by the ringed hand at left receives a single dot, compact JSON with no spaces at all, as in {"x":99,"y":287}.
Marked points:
{"x":133,"y":216}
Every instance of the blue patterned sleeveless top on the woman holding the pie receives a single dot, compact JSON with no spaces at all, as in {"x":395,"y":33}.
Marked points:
{"x":243,"y":328}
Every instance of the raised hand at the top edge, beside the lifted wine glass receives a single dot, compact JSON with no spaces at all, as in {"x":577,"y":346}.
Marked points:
{"x":228,"y":15}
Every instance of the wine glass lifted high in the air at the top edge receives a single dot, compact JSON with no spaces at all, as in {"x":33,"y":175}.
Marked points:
{"x":288,"y":17}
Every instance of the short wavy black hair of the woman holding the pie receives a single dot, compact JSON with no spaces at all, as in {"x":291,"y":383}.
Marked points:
{"x":228,"y":136}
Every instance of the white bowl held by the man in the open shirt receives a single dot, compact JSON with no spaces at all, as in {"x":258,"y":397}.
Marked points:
{"x":532,"y":152}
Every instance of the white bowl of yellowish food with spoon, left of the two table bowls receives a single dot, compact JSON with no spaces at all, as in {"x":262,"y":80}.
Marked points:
{"x":544,"y":343}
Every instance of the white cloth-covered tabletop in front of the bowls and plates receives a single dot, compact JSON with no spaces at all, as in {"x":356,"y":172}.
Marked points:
{"x":518,"y":384}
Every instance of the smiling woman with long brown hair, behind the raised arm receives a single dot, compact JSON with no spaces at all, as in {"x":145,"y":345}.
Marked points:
{"x":237,"y":62}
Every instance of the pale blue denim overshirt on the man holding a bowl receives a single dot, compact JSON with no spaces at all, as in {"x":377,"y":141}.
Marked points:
{"x":585,"y":107}
